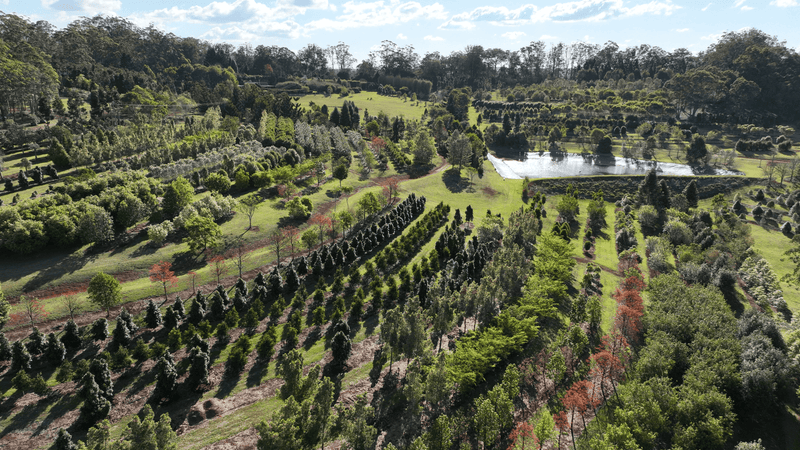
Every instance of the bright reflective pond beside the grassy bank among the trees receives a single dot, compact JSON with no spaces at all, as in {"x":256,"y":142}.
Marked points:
{"x":547,"y":165}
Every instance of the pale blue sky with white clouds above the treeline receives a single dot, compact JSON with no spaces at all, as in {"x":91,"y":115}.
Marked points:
{"x":441,"y":26}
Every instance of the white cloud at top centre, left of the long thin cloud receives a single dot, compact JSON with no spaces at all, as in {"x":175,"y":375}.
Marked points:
{"x":378,"y":13}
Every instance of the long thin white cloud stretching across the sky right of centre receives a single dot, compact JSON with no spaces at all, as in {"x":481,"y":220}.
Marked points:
{"x":573,"y":11}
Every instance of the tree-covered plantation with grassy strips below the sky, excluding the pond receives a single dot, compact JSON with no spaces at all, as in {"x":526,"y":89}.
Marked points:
{"x":207,"y":258}
